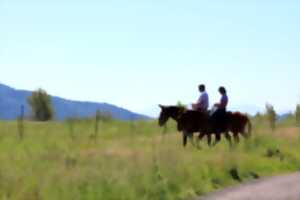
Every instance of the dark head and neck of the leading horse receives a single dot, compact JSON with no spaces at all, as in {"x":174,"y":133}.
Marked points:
{"x":168,"y":112}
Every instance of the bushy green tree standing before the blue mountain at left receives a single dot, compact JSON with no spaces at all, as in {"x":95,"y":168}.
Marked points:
{"x":41,"y":105}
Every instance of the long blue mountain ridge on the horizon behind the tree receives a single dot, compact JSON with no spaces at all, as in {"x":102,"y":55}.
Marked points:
{"x":12,"y":99}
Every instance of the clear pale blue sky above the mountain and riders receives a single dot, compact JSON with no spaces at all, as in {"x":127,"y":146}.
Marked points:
{"x":137,"y":54}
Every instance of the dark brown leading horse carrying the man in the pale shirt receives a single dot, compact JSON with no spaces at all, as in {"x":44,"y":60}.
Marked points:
{"x":187,"y":121}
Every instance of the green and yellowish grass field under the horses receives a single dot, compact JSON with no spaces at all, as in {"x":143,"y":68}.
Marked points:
{"x":133,"y":160}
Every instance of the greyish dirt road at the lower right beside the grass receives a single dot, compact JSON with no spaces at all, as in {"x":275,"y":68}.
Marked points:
{"x":285,"y":187}
